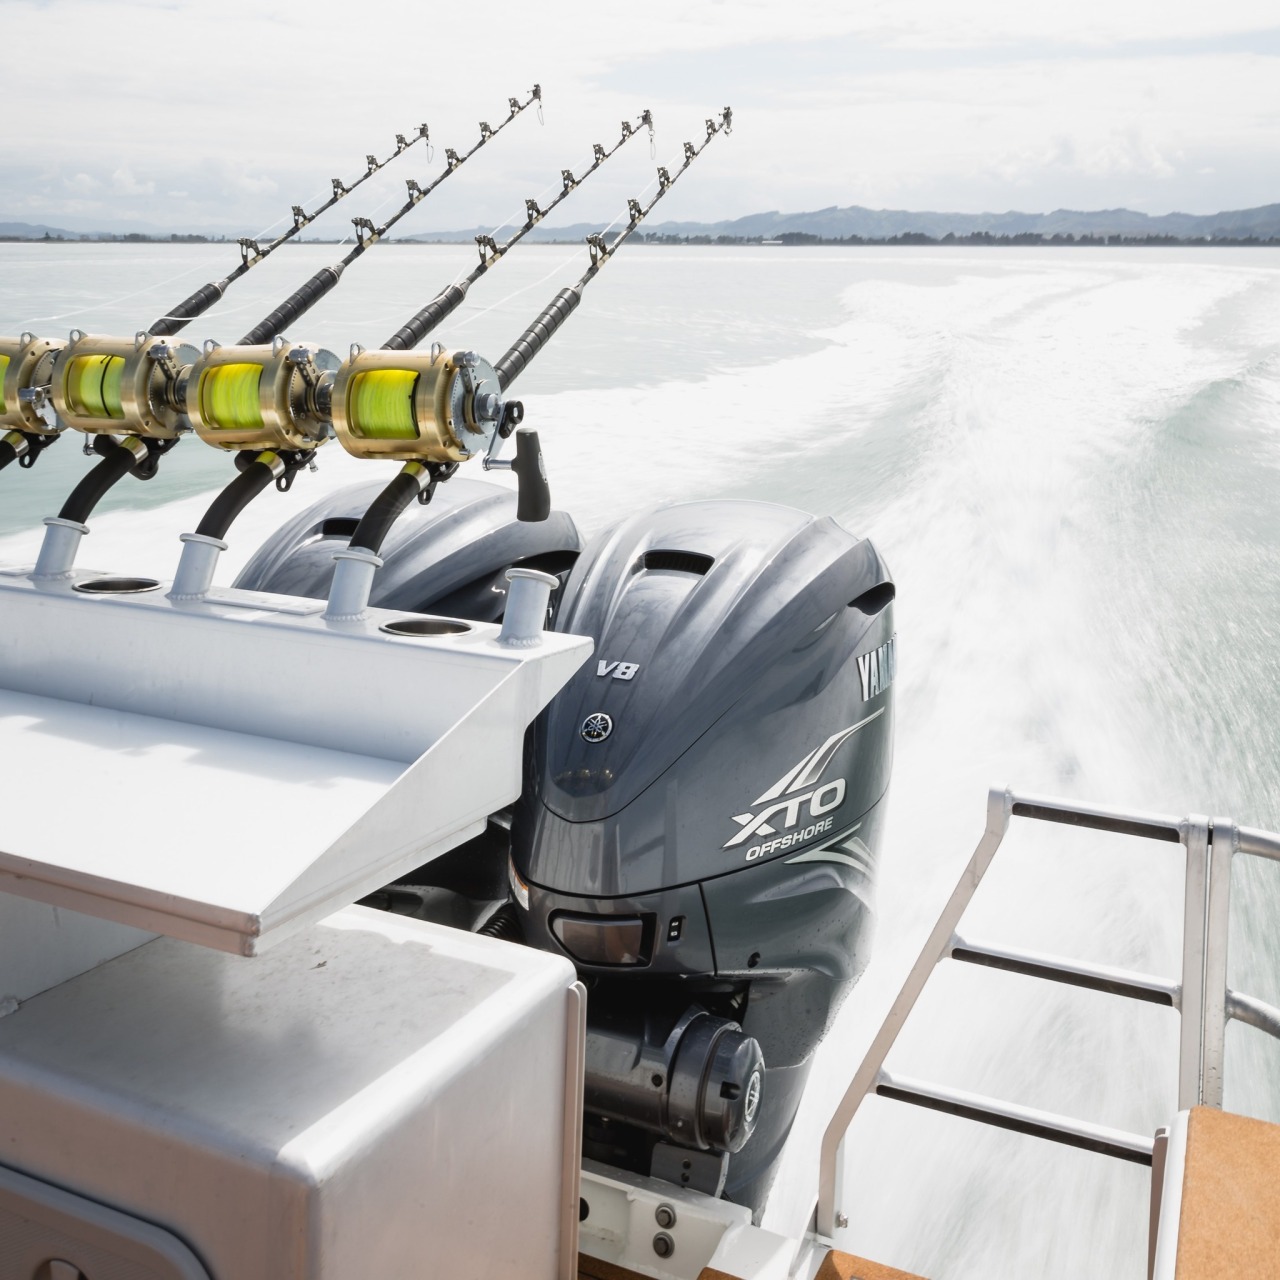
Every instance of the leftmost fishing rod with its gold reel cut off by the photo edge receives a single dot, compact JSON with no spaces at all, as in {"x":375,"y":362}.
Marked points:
{"x":28,"y":364}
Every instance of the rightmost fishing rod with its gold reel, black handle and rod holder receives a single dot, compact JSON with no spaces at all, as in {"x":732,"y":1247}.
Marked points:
{"x":436,"y":413}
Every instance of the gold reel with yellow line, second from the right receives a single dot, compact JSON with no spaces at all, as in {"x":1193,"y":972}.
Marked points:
{"x":264,"y":397}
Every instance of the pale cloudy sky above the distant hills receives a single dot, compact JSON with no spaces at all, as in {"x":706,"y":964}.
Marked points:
{"x":158,"y":115}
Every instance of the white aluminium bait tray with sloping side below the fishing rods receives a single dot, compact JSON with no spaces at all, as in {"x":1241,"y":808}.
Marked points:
{"x":236,"y":769}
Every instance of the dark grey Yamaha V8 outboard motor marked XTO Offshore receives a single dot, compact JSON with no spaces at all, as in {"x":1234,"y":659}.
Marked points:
{"x":700,"y":824}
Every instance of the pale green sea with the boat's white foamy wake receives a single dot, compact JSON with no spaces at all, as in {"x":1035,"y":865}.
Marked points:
{"x":1071,"y":460}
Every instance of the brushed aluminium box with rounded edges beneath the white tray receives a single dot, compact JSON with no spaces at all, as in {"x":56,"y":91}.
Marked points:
{"x":374,"y":1098}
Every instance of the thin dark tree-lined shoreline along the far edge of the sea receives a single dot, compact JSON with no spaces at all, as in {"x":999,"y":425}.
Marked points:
{"x":789,"y":240}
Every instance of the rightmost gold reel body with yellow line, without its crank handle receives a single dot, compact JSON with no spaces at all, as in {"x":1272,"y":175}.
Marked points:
{"x":437,"y":408}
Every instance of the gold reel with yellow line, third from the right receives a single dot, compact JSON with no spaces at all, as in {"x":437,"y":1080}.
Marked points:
{"x":106,"y":386}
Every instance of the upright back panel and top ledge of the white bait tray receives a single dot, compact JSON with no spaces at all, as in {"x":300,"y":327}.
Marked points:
{"x":346,"y":687}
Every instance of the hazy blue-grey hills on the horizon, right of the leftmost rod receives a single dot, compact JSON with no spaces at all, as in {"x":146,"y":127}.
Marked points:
{"x":875,"y":225}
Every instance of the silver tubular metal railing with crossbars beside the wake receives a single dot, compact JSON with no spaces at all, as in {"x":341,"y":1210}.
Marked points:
{"x":1203,"y":998}
